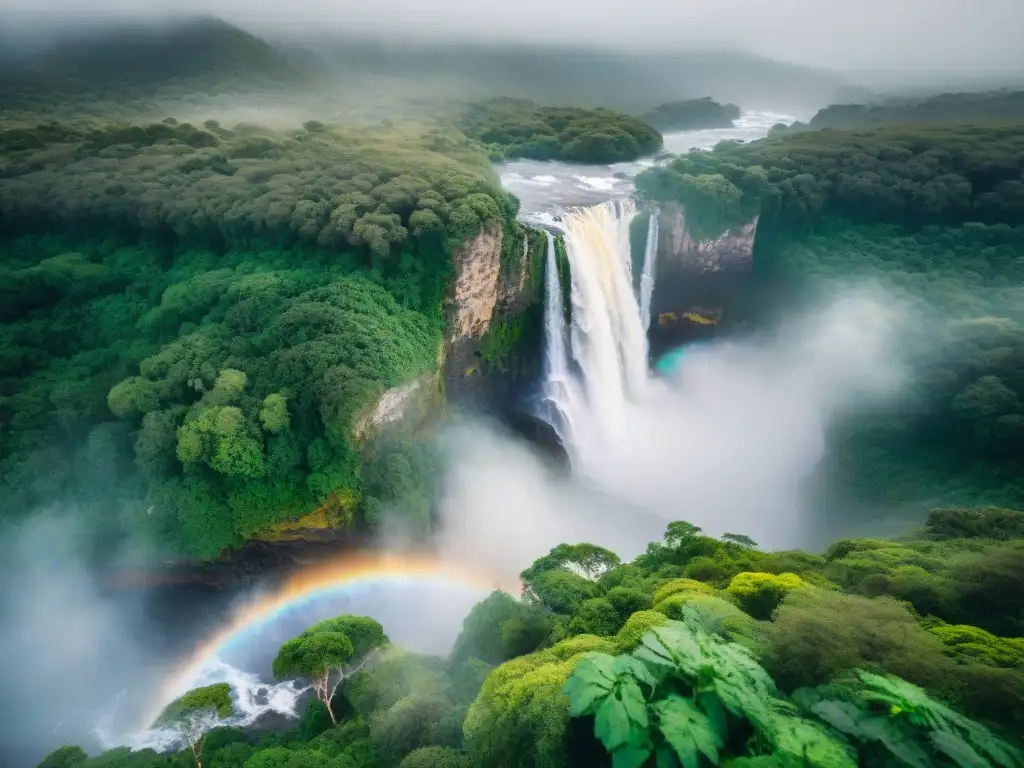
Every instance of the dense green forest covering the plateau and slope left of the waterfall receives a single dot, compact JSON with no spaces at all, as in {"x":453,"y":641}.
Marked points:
{"x":205,"y":313}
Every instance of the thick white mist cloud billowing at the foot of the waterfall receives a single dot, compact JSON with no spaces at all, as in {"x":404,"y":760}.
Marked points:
{"x":729,"y":446}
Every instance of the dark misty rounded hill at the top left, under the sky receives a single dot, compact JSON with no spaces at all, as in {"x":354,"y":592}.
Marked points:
{"x":141,"y":68}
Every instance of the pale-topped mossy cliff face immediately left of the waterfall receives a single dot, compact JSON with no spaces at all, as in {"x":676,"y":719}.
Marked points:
{"x":492,"y":346}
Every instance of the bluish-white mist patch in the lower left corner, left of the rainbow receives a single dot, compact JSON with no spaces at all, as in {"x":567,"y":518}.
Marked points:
{"x":76,"y":656}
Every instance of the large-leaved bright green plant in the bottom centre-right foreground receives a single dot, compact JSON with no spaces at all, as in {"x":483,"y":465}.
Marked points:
{"x":689,"y":698}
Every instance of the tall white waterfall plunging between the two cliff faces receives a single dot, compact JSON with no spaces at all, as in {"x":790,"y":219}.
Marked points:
{"x":591,"y":382}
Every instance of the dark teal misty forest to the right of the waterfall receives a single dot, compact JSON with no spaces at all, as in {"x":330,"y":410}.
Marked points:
{"x":936,"y":216}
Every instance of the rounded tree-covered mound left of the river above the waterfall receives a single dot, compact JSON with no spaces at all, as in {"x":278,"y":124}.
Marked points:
{"x":520,"y":129}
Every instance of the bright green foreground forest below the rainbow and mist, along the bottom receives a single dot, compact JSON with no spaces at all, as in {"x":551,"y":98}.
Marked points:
{"x":699,"y":653}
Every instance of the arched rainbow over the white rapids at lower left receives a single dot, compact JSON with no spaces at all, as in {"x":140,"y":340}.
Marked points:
{"x":315,"y":583}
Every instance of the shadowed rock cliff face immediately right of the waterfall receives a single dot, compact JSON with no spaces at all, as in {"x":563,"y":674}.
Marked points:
{"x":702,"y":285}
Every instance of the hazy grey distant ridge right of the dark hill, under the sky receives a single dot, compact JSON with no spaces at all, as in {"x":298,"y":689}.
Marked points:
{"x":630,"y":81}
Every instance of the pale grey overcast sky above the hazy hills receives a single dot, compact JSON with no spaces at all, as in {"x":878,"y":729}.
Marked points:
{"x":961,"y":35}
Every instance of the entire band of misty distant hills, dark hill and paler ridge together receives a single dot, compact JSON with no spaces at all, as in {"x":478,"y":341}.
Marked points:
{"x":202,"y":67}
